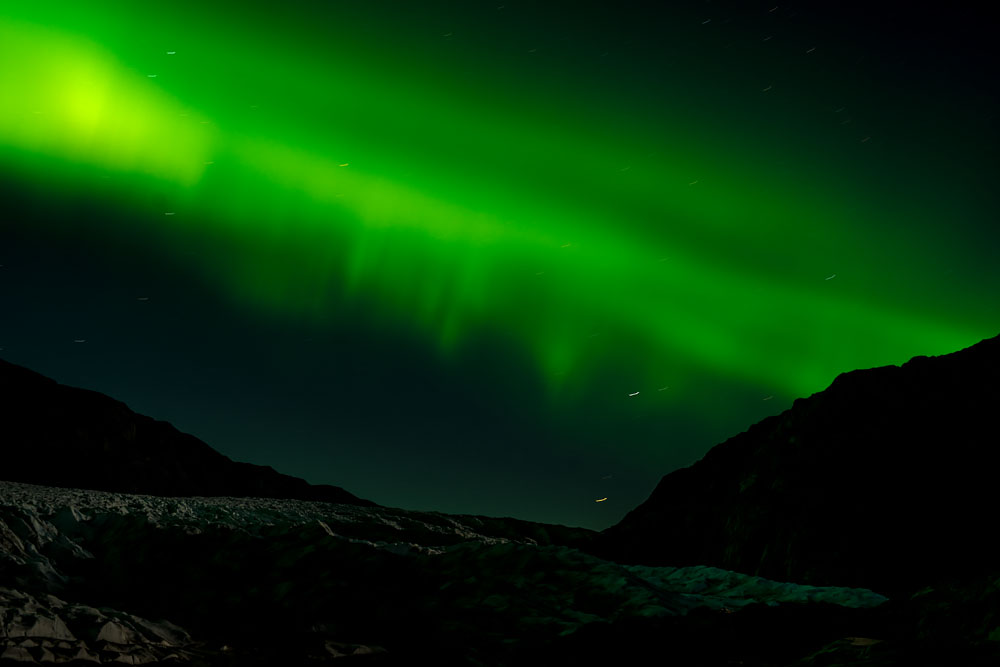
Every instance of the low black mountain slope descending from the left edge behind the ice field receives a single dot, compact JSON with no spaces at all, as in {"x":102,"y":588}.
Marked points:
{"x":56,"y":435}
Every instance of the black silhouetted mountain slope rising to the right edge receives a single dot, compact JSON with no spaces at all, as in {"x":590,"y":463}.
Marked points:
{"x":888,"y":480}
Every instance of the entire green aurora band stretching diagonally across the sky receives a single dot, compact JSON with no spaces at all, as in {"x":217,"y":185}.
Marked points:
{"x":458,"y":215}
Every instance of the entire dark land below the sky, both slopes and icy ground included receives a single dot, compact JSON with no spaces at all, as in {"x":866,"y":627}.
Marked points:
{"x":875,"y":497}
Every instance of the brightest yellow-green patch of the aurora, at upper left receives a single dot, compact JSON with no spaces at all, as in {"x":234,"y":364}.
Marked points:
{"x":66,"y":98}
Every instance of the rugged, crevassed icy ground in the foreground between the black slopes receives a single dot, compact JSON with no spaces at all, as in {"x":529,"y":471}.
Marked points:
{"x":113,"y":577}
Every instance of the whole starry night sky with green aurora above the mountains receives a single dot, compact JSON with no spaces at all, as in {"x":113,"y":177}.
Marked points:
{"x":500,"y":257}
